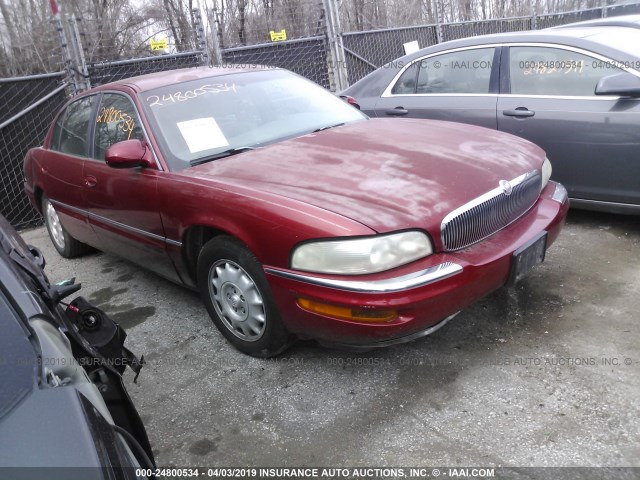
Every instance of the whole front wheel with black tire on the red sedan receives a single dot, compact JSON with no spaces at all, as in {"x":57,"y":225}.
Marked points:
{"x":238,"y":298}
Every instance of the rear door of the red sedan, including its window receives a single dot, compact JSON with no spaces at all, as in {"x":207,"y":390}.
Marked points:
{"x":62,"y":165}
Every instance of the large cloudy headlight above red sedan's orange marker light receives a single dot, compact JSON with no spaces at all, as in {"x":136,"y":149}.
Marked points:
{"x":361,"y":255}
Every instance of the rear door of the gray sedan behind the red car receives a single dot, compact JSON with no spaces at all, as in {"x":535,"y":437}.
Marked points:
{"x":459,"y":85}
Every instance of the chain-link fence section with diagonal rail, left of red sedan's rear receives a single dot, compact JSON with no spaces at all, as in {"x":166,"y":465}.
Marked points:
{"x":28,"y":106}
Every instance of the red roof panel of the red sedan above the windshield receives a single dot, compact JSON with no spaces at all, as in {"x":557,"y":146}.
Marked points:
{"x":151,"y":81}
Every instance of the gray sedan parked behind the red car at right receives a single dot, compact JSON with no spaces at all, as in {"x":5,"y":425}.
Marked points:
{"x":574,"y":91}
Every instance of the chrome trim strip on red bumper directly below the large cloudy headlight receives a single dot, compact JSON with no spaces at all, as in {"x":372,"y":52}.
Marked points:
{"x":404,"y":282}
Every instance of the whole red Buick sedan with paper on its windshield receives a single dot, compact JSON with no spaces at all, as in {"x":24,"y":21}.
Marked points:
{"x":294,"y":214}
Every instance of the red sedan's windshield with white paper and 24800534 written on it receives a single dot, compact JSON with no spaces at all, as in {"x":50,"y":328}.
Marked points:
{"x":198,"y":119}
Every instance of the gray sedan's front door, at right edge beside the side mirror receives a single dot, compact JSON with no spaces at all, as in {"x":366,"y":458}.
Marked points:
{"x":592,"y":141}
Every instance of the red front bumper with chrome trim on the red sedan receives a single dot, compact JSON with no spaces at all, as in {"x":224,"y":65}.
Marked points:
{"x":423,"y":293}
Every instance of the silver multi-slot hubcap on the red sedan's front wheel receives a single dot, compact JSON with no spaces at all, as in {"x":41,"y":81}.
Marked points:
{"x":237,"y":300}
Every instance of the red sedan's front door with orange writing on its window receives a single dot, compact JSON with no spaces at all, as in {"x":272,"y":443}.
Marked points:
{"x":122,"y":203}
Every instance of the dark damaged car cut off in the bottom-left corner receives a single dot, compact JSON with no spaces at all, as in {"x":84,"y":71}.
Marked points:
{"x":64,"y":411}
